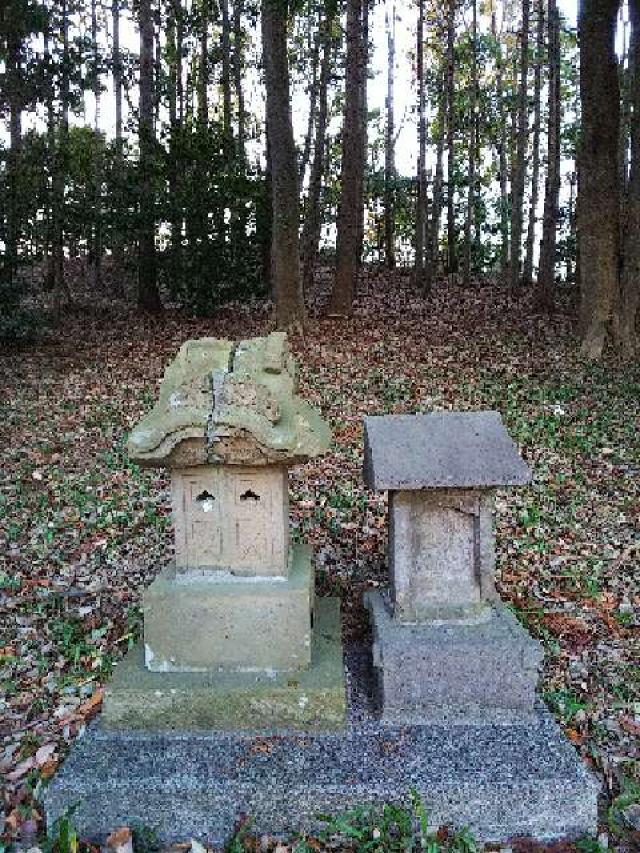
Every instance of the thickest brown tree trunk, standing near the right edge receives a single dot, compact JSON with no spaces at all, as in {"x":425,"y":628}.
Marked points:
{"x":599,"y":203}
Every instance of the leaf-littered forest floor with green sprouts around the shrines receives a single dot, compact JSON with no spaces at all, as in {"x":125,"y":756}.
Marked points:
{"x":83,"y":531}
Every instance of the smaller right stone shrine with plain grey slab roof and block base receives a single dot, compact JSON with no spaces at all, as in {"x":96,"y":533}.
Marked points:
{"x":444,"y":644}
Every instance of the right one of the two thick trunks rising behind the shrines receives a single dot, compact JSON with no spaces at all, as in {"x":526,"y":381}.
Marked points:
{"x":349,"y":211}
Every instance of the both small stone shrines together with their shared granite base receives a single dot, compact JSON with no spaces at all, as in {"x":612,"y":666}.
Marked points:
{"x":234,"y":703}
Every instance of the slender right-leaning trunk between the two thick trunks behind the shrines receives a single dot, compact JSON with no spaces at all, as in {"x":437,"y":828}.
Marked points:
{"x":313,"y":220}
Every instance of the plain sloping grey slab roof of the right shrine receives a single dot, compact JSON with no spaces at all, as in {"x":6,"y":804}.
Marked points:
{"x":441,"y":450}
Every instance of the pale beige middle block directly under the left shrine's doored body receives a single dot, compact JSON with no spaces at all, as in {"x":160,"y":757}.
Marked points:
{"x":213,"y":621}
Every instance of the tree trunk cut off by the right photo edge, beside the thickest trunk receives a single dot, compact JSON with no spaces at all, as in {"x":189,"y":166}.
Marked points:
{"x":624,"y":327}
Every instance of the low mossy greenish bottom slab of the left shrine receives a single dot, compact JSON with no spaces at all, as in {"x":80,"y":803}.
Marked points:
{"x":312,"y":700}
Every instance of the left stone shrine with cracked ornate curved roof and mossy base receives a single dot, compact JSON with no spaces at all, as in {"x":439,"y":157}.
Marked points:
{"x":232,"y":618}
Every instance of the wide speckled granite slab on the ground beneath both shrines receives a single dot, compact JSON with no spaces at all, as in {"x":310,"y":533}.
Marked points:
{"x":501,"y":781}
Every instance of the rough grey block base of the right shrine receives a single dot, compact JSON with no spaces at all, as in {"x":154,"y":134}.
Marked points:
{"x":484,"y":671}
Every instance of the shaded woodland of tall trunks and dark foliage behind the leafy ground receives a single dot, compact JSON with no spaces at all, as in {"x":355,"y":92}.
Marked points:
{"x":526,"y":170}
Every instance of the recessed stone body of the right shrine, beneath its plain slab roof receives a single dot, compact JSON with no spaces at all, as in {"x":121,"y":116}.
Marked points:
{"x":441,"y":553}
